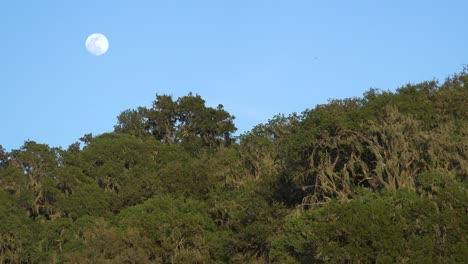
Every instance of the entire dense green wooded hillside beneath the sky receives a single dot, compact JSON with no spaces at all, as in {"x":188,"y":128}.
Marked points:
{"x":377,"y":179}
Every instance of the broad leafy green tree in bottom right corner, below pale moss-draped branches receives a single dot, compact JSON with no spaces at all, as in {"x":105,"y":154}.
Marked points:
{"x":385,"y":227}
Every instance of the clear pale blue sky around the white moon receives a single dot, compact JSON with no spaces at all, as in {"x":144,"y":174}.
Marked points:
{"x":257,"y":58}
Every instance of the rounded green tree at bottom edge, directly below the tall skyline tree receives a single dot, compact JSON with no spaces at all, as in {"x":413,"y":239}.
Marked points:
{"x":175,"y":226}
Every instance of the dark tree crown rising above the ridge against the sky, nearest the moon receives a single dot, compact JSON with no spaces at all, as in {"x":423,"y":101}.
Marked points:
{"x":185,"y":120}
